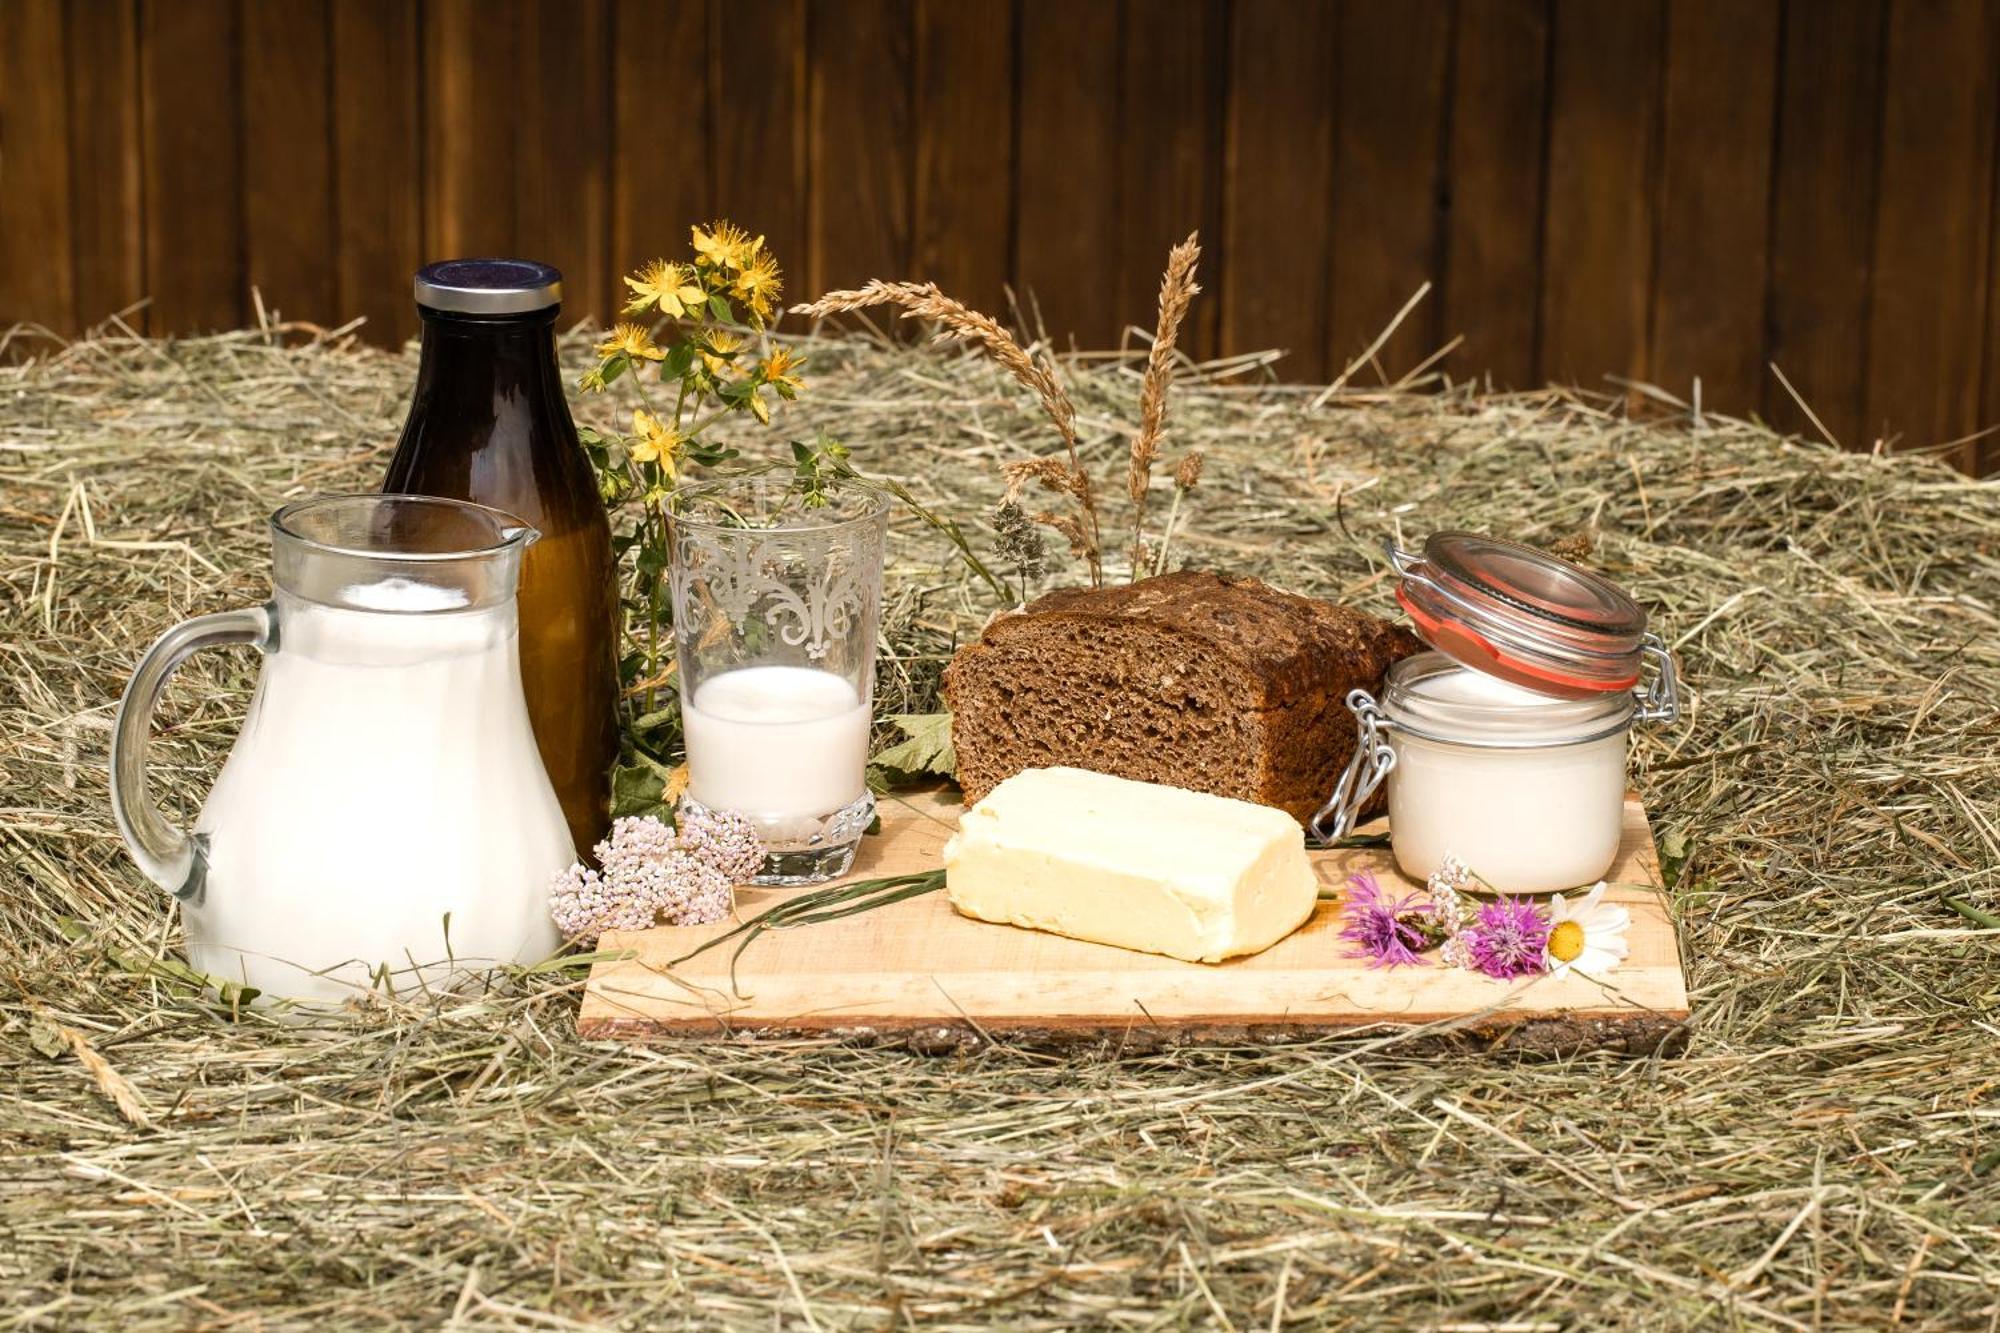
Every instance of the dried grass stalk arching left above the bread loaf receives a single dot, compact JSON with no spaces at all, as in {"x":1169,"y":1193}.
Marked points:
{"x":959,"y":321}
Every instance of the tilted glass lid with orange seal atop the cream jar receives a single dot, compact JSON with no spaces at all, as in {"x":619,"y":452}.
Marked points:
{"x":1523,"y":615}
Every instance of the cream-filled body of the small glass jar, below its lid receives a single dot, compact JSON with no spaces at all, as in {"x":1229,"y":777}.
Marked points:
{"x":1523,"y":788}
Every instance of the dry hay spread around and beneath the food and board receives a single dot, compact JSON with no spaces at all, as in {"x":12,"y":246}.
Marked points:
{"x":1827,"y":1154}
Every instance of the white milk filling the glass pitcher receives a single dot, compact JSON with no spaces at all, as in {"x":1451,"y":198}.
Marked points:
{"x":361,"y":834}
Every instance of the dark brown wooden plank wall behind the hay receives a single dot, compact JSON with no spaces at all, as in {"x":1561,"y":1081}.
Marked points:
{"x":1639,"y":189}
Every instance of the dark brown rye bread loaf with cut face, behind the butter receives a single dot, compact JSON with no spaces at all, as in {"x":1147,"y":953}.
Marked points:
{"x":1221,"y":686}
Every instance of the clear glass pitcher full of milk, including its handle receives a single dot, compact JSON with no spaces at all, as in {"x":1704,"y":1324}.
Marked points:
{"x":383,"y":818}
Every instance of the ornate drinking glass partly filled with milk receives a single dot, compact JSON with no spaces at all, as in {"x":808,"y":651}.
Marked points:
{"x":775,"y":625}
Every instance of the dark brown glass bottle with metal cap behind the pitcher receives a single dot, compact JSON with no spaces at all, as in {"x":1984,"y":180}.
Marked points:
{"x":489,"y":423}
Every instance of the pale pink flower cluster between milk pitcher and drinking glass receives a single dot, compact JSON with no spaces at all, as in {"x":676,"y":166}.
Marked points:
{"x":651,"y":872}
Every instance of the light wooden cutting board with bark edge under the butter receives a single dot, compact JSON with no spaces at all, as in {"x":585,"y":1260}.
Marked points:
{"x":923,"y":970}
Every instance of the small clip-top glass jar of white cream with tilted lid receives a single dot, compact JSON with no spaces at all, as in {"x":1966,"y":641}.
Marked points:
{"x":1507,"y":744}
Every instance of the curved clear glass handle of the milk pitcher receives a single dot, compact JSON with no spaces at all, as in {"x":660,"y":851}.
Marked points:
{"x":169,"y":858}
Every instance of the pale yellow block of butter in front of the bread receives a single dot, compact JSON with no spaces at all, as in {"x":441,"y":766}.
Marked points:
{"x":1131,"y":864}
